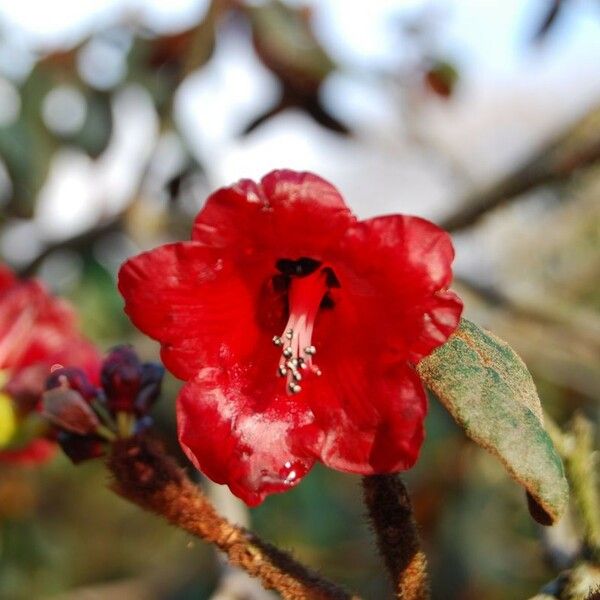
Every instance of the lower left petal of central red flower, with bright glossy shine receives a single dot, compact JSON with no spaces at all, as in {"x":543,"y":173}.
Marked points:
{"x":242,"y":436}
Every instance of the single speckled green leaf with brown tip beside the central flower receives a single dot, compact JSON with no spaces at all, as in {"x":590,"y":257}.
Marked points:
{"x":488,"y":390}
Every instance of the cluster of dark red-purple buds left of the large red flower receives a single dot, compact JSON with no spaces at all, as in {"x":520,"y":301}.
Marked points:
{"x":86,"y":417}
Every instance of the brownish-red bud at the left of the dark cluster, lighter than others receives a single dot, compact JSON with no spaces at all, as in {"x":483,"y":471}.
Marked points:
{"x":66,"y":409}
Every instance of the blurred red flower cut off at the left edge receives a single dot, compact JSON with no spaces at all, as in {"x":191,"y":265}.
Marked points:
{"x":38,"y":333}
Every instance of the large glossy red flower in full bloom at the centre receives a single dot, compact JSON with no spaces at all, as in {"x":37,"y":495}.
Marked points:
{"x":285,"y":262}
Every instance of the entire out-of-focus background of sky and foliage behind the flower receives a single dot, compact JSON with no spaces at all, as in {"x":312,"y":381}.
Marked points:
{"x":118,"y":117}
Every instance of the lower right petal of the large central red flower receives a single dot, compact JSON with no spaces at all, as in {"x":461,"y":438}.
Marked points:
{"x":371,"y":418}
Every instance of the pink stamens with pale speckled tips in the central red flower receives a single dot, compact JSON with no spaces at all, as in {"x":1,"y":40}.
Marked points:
{"x":306,"y":293}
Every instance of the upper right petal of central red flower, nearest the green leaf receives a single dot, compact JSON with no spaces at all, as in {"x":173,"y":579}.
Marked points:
{"x":395,"y":271}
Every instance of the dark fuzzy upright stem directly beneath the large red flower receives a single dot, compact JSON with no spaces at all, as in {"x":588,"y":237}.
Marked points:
{"x":392,"y":518}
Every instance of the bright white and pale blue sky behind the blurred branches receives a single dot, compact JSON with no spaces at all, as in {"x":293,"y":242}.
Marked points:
{"x":511,"y":99}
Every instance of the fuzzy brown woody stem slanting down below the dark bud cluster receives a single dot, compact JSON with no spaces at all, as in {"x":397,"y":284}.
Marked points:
{"x":146,"y":476}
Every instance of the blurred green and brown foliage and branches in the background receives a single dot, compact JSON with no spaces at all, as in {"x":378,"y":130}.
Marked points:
{"x":62,"y":531}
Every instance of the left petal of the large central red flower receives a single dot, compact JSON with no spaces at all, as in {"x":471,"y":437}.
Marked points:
{"x":194,"y":301}
